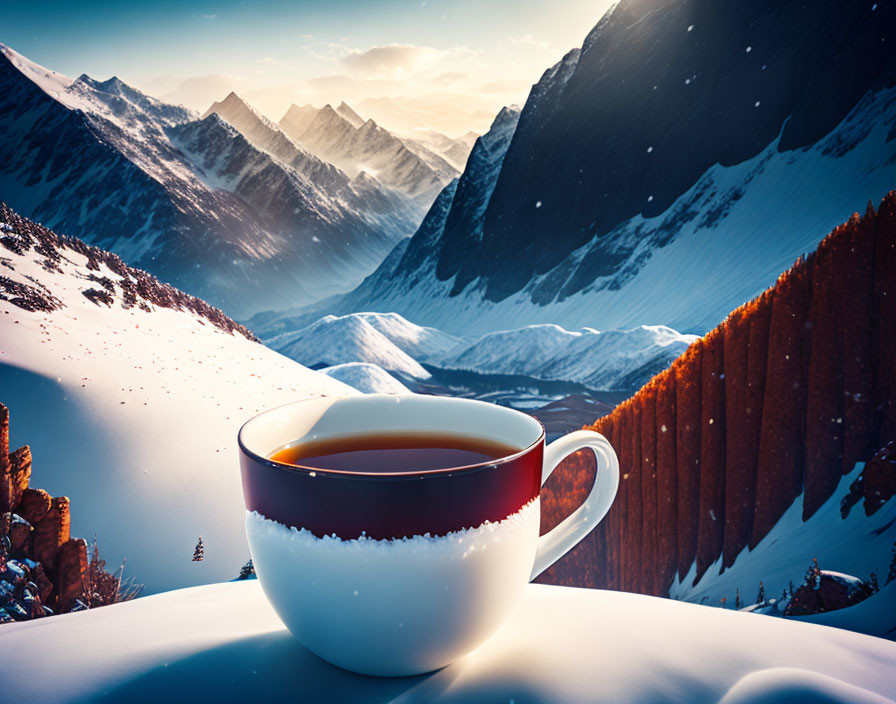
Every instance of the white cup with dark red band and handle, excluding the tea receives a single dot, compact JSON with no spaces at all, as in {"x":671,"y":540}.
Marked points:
{"x":403,"y":573}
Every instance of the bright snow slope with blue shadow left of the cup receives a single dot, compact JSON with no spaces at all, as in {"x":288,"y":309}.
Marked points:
{"x":134,"y":416}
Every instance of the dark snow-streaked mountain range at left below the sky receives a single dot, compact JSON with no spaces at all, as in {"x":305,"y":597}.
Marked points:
{"x":191,"y":200}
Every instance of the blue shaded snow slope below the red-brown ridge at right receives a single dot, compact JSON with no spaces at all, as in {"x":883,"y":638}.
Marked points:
{"x":783,"y":556}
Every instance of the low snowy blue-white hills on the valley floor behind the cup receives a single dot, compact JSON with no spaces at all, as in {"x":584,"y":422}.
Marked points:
{"x":618,"y":360}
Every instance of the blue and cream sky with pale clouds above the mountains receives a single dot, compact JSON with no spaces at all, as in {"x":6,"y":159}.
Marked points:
{"x":423,"y":64}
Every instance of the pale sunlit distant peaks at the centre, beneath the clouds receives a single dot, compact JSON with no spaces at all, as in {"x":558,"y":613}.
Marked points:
{"x":337,"y":136}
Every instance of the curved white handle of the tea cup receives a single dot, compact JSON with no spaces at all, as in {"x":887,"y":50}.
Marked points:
{"x":562,"y":538}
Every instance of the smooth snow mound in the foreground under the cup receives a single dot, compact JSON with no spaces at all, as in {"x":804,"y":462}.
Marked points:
{"x":223,"y":642}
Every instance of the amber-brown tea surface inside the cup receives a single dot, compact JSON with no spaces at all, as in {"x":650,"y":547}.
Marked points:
{"x":393,"y":453}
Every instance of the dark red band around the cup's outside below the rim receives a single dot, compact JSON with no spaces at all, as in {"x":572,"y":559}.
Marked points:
{"x":385,"y":506}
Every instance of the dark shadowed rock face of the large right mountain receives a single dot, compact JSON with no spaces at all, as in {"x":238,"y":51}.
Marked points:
{"x":660,"y":92}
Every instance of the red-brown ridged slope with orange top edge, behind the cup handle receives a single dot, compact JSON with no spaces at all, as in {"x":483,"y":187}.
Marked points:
{"x":783,"y":397}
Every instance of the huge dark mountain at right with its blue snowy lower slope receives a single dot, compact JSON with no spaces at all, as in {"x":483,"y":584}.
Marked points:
{"x":609,"y":209}
